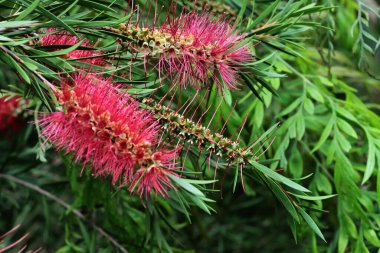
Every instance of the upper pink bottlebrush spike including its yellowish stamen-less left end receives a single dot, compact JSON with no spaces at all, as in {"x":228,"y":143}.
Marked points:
{"x":192,"y":49}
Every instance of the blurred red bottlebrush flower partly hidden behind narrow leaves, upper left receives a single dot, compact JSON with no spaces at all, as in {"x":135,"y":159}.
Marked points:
{"x":65,"y":38}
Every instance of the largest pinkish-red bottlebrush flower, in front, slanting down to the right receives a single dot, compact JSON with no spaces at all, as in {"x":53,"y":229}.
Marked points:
{"x":107,"y":129}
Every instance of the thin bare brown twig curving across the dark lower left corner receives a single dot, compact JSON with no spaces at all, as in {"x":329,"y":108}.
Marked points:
{"x":66,"y":206}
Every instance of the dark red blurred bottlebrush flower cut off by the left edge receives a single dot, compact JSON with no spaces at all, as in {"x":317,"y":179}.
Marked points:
{"x":10,"y":108}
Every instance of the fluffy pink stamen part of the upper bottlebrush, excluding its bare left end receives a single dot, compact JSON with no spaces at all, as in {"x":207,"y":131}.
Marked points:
{"x":213,"y":52}
